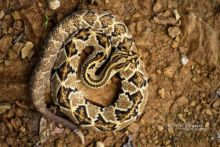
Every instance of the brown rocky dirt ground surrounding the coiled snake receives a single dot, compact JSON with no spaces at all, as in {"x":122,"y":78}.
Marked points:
{"x":179,"y":43}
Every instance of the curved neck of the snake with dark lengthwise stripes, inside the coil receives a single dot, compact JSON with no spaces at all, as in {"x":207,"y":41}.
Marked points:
{"x":95,"y":73}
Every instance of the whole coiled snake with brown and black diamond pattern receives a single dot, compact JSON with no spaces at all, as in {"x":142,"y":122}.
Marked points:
{"x":113,"y":54}
